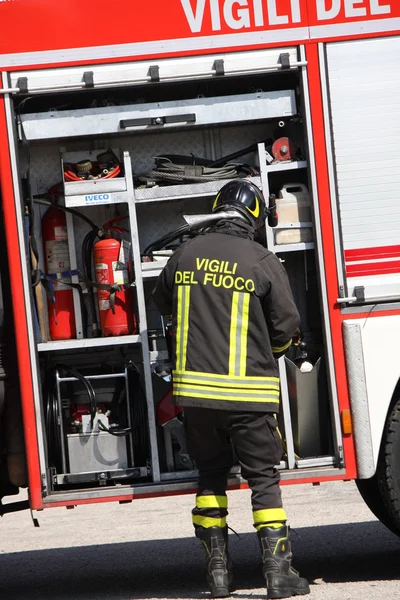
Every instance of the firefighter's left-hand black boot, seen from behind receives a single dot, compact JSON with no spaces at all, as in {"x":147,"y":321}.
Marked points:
{"x":219,"y":573}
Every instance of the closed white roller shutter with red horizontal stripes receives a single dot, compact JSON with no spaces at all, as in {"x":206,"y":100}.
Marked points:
{"x":364,"y":92}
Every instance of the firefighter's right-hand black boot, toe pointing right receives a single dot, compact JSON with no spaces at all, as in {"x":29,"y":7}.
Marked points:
{"x":282,"y":580}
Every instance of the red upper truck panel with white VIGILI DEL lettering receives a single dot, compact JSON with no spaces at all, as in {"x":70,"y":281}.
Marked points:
{"x":194,"y":27}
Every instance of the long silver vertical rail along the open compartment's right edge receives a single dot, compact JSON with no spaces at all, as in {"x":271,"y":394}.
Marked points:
{"x":320,"y":260}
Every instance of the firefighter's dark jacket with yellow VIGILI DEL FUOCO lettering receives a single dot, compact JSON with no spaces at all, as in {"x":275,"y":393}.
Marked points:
{"x":233,"y":314}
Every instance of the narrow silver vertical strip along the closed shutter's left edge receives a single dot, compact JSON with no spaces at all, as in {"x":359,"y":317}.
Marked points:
{"x":331,"y":166}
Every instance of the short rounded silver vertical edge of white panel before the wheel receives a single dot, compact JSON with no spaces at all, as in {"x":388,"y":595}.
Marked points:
{"x":359,"y":399}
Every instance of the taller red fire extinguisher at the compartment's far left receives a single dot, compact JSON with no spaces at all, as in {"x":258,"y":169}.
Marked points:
{"x":56,"y":255}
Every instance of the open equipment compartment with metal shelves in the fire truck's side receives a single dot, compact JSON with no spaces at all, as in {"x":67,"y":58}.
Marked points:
{"x":124,"y":437}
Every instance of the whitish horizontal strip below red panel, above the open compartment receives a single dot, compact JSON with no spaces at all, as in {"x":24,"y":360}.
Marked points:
{"x":156,"y":48}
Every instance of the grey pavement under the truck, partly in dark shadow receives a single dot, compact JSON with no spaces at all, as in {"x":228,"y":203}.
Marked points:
{"x":146,"y":549}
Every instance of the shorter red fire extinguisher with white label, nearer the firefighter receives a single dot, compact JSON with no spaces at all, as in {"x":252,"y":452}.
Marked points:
{"x":118,"y":319}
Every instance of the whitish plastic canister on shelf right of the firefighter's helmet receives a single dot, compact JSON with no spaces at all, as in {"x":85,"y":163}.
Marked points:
{"x":293,"y":206}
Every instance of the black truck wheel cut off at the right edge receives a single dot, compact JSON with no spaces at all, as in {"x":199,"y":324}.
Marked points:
{"x":382,"y":492}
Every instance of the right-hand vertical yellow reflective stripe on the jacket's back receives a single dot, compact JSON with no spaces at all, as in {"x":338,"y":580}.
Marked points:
{"x":238,"y":334}
